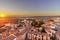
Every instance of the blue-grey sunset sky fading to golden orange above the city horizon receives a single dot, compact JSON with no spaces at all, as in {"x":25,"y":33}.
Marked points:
{"x":30,"y":7}
